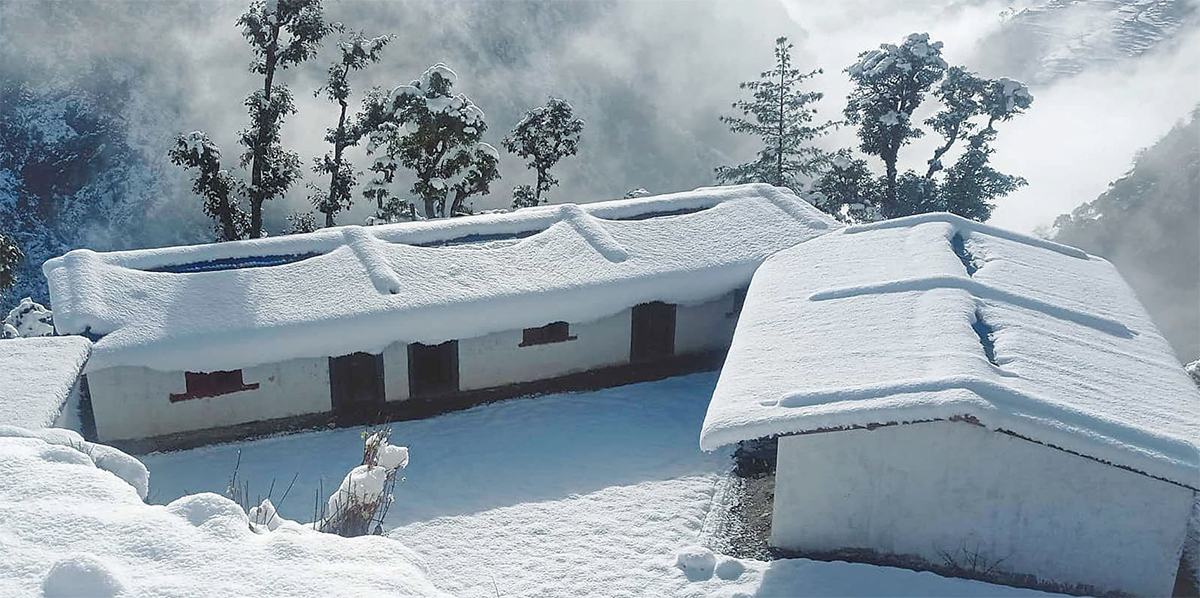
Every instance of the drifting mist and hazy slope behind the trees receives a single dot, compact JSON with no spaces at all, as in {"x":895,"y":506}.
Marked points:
{"x":650,"y":80}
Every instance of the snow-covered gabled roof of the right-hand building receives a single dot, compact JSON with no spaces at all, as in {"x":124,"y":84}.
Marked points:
{"x":938,"y":318}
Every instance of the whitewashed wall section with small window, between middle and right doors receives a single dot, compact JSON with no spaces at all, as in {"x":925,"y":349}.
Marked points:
{"x":499,"y":360}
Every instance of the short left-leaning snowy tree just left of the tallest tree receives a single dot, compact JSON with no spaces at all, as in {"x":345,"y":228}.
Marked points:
{"x":219,"y":189}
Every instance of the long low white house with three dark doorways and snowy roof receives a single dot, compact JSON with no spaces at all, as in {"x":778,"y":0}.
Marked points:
{"x":413,"y":319}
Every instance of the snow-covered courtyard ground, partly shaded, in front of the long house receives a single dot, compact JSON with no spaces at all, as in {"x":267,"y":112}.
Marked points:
{"x":585,"y":494}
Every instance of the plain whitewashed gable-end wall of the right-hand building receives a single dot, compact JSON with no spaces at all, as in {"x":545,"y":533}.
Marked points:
{"x":945,"y":488}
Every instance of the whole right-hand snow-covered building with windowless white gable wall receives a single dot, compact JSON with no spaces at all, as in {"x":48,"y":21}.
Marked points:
{"x":955,"y":397}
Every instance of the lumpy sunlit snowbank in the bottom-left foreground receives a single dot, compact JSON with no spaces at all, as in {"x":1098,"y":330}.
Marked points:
{"x":74,"y":530}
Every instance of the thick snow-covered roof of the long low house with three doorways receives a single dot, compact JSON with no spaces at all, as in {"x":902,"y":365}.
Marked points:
{"x":351,"y":289}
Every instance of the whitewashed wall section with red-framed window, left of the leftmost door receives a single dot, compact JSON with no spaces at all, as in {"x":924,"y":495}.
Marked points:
{"x":135,"y":403}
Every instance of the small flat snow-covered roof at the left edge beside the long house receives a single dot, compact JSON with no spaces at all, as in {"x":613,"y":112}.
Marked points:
{"x":37,"y":378}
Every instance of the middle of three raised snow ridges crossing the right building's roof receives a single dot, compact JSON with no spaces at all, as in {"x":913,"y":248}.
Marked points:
{"x":982,"y":291}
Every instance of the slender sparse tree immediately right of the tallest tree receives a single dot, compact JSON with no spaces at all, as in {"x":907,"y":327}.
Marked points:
{"x":357,"y":53}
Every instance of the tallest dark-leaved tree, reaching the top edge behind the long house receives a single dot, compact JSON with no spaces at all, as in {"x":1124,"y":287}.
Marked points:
{"x":284,"y":34}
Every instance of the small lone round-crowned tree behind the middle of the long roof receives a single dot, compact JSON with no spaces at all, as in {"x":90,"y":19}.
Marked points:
{"x":543,"y":137}
